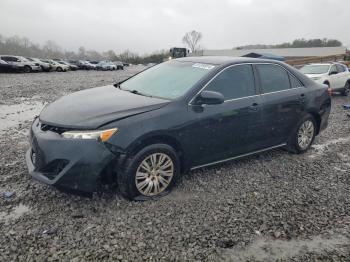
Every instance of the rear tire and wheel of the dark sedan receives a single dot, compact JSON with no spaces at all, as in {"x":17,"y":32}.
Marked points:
{"x":307,"y":123}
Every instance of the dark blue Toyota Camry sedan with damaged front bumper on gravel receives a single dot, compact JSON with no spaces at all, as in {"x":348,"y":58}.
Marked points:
{"x":184,"y":114}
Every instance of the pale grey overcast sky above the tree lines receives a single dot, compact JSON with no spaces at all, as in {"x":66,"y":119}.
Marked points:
{"x":144,"y":26}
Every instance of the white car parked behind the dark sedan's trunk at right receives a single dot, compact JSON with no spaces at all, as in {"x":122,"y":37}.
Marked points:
{"x":335,"y":75}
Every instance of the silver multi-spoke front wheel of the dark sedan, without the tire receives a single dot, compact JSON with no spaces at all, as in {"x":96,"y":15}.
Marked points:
{"x":154,"y":174}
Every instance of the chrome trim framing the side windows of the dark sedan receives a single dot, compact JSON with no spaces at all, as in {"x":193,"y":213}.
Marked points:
{"x":258,"y":63}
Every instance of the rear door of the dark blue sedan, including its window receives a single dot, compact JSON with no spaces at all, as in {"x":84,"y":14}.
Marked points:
{"x":283,"y":99}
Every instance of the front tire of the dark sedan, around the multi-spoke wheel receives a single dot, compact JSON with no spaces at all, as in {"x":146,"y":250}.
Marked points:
{"x":131,"y":188}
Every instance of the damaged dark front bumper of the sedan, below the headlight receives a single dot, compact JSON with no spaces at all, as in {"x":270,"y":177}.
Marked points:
{"x":73,"y":164}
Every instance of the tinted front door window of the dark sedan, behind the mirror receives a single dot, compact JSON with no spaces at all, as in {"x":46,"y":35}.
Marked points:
{"x":234,"y":82}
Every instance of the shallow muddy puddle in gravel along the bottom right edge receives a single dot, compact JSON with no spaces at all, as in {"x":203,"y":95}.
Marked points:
{"x":272,"y":250}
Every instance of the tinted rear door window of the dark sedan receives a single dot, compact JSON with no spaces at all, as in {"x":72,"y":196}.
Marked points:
{"x":273,"y":78}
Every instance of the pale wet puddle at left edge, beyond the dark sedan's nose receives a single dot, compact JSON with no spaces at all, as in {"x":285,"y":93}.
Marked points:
{"x":12,"y":115}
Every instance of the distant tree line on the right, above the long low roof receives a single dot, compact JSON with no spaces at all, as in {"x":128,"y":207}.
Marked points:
{"x":298,"y":43}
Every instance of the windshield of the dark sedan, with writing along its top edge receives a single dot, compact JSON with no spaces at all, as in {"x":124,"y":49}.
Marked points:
{"x":168,"y":80}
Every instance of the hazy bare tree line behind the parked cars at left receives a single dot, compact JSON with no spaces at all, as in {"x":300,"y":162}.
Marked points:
{"x":22,"y":46}
